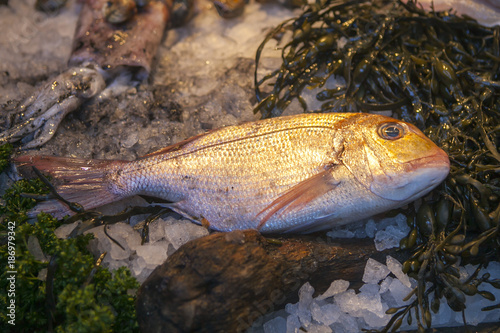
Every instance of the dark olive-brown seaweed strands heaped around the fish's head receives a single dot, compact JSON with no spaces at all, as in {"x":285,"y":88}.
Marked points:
{"x":434,"y":69}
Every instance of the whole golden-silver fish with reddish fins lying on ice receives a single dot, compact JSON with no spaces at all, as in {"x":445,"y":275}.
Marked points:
{"x":291,"y":174}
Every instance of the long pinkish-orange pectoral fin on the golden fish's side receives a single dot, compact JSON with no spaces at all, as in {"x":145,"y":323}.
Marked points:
{"x":300,"y":195}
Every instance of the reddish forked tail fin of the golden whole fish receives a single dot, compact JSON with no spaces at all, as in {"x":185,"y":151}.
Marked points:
{"x":83,"y":181}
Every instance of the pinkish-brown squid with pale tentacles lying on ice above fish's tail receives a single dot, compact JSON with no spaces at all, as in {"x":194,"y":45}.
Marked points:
{"x":102,"y":46}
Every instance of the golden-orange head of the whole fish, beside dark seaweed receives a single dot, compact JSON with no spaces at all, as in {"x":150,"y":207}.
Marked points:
{"x":394,"y":159}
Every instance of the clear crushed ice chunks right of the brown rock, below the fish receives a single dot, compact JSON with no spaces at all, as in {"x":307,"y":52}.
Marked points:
{"x":345,"y":310}
